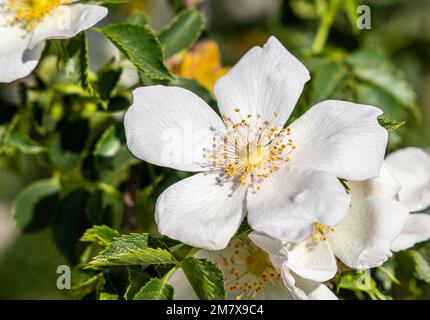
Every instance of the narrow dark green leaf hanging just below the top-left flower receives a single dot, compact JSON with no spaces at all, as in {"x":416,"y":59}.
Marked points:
{"x":76,"y":65}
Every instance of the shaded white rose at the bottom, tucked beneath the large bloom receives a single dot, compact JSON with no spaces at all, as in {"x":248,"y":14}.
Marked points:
{"x":254,"y":270}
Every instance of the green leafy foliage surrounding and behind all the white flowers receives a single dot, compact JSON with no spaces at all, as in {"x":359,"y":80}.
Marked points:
{"x":64,"y":165}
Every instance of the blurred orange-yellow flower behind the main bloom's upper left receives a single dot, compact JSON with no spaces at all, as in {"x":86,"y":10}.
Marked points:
{"x":202,"y":63}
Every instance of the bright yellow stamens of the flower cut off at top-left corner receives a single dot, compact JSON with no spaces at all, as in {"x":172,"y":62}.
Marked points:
{"x":28,"y":13}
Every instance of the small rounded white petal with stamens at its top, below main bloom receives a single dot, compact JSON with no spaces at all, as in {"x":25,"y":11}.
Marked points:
{"x":313,"y":260}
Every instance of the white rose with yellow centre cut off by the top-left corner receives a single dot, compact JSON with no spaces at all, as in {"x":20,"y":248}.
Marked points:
{"x":25,"y":25}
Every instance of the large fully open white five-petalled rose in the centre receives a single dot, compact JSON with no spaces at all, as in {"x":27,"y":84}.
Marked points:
{"x":285,"y":179}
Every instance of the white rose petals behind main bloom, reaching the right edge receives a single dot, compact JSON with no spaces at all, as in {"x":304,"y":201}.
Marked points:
{"x":378,"y":222}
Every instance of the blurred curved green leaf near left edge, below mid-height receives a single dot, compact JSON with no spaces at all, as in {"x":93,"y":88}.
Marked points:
{"x":25,"y":203}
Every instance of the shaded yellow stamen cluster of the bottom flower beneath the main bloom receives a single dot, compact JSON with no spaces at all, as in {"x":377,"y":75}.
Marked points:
{"x":248,"y":269}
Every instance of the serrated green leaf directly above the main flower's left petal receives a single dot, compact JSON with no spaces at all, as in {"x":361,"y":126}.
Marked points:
{"x":140,"y":45}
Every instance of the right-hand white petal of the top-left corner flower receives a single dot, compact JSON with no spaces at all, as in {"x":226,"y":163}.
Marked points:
{"x":66,"y":21}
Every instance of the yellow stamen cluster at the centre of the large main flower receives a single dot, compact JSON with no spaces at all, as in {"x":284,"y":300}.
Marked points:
{"x":252,"y":149}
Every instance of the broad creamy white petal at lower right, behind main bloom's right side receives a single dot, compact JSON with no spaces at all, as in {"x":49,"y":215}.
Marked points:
{"x":363,"y":239}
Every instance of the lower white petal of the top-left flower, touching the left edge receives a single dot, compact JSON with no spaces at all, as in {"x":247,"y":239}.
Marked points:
{"x":16,"y":61}
